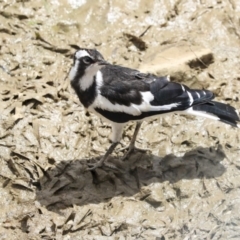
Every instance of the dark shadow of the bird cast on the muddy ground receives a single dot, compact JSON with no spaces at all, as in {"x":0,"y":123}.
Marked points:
{"x":68,"y":184}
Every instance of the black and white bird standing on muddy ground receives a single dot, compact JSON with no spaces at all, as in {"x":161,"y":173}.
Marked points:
{"x":119,"y":95}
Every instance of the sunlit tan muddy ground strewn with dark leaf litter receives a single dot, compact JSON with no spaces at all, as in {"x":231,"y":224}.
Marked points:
{"x":186,"y":186}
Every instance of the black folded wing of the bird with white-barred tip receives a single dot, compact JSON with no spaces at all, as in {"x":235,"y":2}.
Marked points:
{"x":125,"y":86}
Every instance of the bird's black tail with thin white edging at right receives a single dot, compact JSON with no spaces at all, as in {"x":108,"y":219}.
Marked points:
{"x":224,"y":112}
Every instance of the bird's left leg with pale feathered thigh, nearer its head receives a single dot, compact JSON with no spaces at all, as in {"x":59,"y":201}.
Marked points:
{"x":117,"y":129}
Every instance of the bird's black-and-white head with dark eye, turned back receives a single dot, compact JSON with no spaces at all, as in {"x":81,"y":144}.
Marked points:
{"x":86,"y":61}
